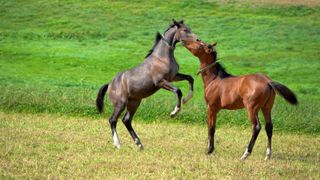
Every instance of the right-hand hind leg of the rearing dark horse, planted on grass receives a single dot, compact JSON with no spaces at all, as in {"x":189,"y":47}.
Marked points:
{"x":127,"y":119}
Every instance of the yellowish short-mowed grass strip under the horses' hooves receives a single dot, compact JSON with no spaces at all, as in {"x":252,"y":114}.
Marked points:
{"x":51,"y":146}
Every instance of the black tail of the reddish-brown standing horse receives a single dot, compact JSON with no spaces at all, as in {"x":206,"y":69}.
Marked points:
{"x":285,"y":92}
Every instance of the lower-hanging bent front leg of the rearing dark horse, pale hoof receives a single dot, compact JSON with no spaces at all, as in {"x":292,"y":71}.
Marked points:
{"x":164,"y":84}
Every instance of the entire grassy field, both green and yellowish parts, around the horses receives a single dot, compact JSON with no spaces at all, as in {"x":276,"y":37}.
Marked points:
{"x":54,"y":56}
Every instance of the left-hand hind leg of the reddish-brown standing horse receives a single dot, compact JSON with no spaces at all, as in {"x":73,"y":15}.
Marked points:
{"x":255,"y":125}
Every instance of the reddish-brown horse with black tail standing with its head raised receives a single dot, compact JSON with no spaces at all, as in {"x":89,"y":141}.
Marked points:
{"x":254,"y":92}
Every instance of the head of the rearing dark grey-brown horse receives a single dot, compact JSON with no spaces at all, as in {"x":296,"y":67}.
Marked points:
{"x":179,"y":32}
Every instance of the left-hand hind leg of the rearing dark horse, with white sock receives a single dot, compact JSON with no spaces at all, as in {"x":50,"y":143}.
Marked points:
{"x":118,"y":109}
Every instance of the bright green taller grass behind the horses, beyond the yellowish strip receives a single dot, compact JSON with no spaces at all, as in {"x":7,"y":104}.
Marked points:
{"x":55,"y":55}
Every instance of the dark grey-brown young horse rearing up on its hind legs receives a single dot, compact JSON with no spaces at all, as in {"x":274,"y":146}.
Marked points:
{"x":159,"y":68}
